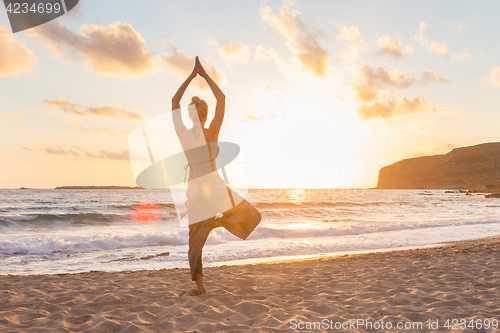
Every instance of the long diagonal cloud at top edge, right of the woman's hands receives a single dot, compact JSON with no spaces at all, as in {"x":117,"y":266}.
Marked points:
{"x":303,"y":43}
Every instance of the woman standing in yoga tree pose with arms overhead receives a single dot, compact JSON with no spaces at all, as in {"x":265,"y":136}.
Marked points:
{"x":210,"y":203}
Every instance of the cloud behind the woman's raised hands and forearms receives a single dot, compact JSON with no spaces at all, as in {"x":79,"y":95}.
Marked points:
{"x":183,"y":65}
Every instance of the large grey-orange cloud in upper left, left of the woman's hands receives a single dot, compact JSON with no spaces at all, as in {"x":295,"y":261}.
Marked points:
{"x":116,"y":49}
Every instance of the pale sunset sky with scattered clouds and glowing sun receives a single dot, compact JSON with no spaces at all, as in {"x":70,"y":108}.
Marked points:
{"x":319,"y":94}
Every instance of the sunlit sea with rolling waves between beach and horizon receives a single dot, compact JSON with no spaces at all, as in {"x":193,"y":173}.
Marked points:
{"x":48,"y":231}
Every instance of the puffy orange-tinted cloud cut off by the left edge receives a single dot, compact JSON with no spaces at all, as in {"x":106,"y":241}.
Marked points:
{"x":15,"y":57}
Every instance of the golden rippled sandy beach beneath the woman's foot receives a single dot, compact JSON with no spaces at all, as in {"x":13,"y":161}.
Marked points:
{"x":458,"y":281}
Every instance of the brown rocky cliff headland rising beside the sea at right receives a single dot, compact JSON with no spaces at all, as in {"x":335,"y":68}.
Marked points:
{"x":474,"y":167}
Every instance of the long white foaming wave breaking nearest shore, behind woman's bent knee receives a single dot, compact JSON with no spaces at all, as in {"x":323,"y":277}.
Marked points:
{"x":49,"y":243}
